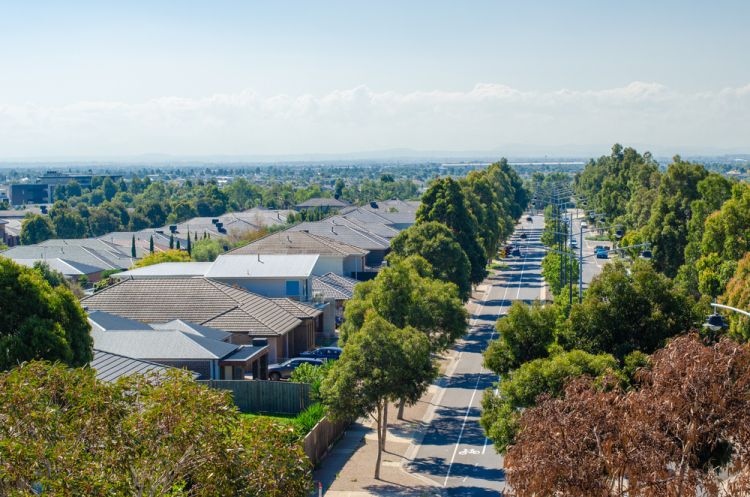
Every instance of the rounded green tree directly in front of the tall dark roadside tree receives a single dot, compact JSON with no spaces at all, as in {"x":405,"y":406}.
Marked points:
{"x":437,"y":244}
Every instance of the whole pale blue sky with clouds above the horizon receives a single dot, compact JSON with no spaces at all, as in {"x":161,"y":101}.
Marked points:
{"x":246,"y":78}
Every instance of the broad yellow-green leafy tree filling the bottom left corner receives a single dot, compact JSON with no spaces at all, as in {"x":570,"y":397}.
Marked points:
{"x":71,"y":434}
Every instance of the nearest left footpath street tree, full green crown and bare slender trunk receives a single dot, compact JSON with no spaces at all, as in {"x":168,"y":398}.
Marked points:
{"x":380,"y":364}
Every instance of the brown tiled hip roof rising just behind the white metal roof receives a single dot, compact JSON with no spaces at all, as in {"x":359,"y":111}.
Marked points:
{"x":298,"y":242}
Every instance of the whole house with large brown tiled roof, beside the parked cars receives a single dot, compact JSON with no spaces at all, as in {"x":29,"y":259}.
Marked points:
{"x":289,"y":326}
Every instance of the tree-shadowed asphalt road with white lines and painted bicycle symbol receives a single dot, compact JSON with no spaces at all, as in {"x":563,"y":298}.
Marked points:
{"x":454,"y":453}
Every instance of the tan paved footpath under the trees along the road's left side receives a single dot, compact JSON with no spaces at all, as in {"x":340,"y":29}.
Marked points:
{"x":348,"y":470}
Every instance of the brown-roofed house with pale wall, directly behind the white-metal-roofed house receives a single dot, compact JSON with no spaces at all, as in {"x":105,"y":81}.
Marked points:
{"x":333,"y":256}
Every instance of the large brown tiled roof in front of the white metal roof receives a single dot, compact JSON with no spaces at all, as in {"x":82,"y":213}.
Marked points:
{"x":198,"y":300}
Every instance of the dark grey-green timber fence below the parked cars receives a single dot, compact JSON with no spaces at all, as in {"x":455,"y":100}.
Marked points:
{"x":272,"y":397}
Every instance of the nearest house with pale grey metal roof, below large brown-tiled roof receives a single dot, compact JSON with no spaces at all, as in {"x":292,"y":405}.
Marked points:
{"x":181,"y":344}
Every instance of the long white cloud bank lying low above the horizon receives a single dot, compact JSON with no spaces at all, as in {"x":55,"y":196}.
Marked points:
{"x":489,"y":116}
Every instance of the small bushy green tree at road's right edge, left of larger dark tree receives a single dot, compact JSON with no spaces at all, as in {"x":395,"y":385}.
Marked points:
{"x":524,"y":334}
